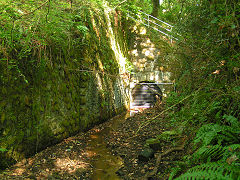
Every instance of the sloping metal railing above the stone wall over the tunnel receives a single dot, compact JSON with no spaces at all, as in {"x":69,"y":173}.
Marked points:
{"x":154,"y":23}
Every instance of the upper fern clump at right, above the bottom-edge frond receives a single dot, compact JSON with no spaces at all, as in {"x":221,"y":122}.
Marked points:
{"x":219,"y":142}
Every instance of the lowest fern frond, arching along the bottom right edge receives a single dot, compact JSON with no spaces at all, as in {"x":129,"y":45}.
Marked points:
{"x":211,"y":171}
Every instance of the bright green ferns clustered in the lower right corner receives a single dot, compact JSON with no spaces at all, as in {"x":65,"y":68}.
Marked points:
{"x":219,"y":152}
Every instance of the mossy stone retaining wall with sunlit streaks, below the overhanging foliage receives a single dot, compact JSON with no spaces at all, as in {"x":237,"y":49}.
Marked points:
{"x":66,"y":94}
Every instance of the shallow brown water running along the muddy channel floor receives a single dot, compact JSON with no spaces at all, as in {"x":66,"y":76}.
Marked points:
{"x":105,"y":164}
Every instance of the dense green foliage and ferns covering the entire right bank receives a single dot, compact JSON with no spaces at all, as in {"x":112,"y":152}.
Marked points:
{"x":205,"y":65}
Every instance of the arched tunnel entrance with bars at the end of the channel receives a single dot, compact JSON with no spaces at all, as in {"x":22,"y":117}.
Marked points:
{"x":145,"y":95}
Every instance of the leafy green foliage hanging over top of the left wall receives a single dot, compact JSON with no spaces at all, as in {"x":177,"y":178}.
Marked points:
{"x":36,"y":29}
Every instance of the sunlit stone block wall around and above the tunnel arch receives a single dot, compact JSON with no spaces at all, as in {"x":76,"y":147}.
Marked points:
{"x":145,"y":54}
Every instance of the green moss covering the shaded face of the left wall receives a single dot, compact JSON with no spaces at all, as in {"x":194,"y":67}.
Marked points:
{"x":57,"y":101}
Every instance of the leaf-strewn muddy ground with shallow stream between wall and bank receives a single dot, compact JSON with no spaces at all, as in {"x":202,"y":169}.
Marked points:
{"x":111,"y":150}
